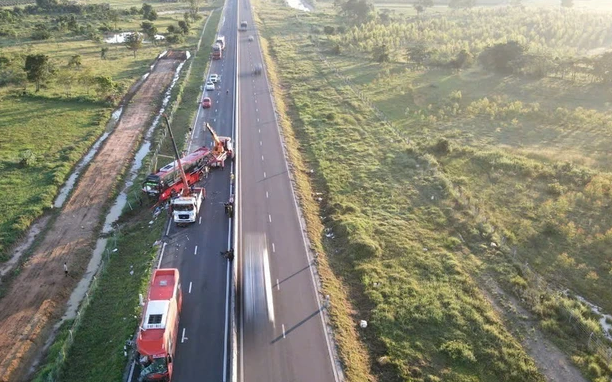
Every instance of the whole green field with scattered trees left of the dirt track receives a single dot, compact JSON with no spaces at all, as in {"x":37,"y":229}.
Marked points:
{"x":59,"y":80}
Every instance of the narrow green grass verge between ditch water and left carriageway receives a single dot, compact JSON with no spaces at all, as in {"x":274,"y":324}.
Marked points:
{"x":129,"y":269}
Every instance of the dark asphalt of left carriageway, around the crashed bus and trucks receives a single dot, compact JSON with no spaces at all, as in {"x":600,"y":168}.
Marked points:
{"x":195,"y":250}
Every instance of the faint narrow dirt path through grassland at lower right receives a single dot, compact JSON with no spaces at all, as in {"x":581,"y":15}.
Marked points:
{"x":551,"y":361}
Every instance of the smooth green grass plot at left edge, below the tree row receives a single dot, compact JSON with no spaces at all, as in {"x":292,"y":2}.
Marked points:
{"x":57,"y":133}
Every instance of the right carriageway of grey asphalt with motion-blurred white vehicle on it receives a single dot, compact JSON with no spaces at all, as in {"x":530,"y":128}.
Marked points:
{"x":284,"y":340}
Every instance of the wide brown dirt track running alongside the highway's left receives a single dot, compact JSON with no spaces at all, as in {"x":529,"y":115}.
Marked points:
{"x":36,"y":298}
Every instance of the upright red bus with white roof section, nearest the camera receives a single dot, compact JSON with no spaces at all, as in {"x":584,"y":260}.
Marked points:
{"x":157,"y":336}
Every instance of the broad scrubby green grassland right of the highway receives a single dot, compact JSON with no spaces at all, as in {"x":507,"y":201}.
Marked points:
{"x":447,"y":151}
